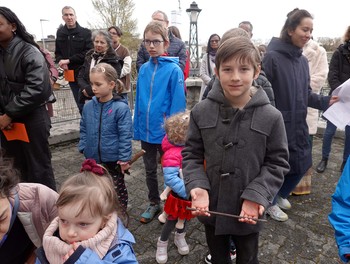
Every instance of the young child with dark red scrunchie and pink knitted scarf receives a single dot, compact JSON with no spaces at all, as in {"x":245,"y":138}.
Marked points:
{"x":88,"y":228}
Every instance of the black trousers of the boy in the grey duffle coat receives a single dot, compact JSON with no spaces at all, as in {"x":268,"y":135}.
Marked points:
{"x":219,"y":246}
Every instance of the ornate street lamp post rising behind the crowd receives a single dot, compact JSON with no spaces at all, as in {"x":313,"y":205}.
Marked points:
{"x":193,"y":13}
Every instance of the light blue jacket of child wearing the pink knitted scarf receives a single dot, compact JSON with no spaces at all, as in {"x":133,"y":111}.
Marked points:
{"x":121,"y":252}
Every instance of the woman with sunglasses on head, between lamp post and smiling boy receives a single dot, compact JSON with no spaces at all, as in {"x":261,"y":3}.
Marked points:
{"x":206,"y":71}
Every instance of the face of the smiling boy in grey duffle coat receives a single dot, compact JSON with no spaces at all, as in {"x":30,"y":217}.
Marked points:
{"x":236,"y":78}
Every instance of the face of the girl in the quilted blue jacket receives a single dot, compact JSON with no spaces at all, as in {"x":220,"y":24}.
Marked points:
{"x":101,"y":87}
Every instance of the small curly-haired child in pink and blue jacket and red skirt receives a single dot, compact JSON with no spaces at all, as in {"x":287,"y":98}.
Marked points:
{"x":175,"y":212}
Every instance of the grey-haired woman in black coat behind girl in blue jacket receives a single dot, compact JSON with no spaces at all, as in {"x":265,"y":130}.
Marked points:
{"x":102,"y":52}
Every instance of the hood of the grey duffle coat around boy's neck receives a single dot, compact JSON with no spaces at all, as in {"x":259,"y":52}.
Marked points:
{"x":258,"y":95}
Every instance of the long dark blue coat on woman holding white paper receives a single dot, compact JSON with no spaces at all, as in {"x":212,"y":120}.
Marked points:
{"x":288,"y":71}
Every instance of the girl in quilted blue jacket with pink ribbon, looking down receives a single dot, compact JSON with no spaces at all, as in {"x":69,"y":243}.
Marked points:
{"x":106,"y":127}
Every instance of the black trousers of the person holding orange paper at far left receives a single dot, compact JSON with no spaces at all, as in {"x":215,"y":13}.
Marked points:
{"x":33,"y":159}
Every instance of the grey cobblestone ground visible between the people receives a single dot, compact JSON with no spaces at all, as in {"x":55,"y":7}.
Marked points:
{"x":306,"y":237}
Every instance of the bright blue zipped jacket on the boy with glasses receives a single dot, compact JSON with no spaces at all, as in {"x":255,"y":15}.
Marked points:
{"x":159,"y":94}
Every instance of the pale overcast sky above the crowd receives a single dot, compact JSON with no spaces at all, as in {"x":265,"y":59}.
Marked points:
{"x":267,"y":17}
